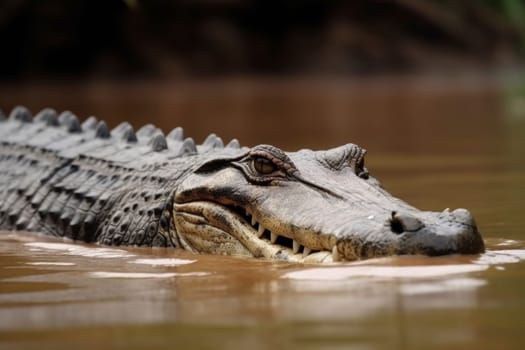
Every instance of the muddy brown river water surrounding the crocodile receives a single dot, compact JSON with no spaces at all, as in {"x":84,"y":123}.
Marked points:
{"x":437,"y":143}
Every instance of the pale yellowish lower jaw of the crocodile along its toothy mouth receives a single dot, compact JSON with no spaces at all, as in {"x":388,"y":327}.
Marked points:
{"x":210,"y":227}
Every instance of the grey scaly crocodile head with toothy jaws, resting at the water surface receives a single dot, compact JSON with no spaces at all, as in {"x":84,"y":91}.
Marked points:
{"x":311,"y":206}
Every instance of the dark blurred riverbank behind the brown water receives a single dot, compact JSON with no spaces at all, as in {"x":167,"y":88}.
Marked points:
{"x":183,"y":38}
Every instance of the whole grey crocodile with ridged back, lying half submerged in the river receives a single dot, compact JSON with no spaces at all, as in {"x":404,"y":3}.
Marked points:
{"x":82,"y":181}
